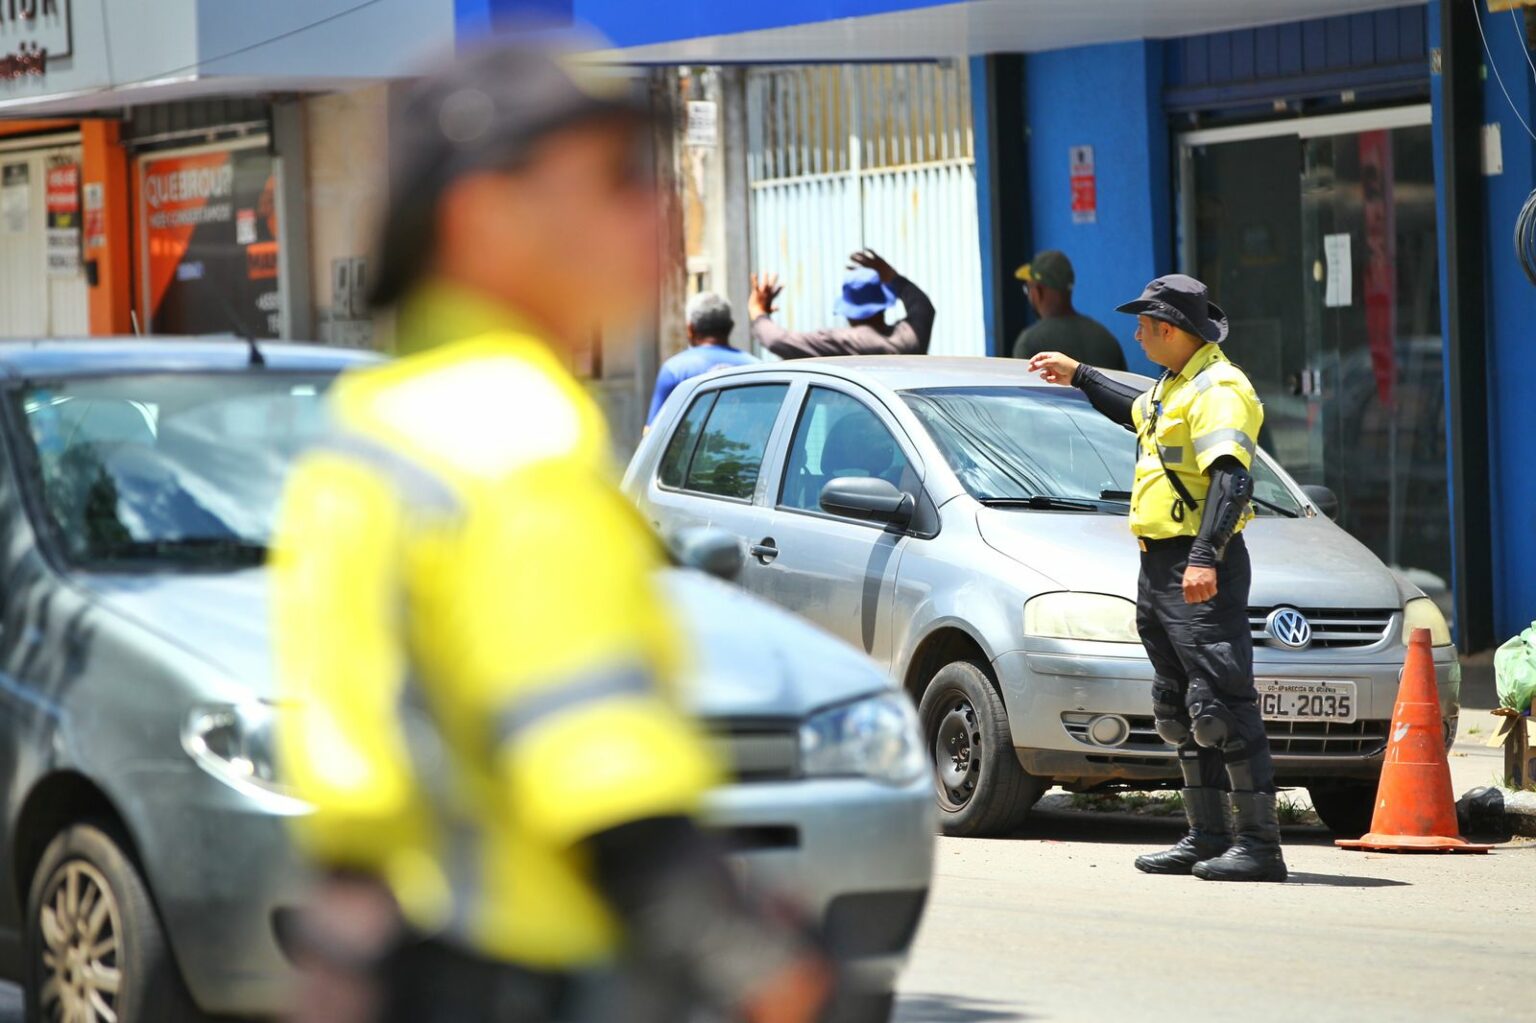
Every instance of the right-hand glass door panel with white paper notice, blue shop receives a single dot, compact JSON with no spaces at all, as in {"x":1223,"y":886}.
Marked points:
{"x":1372,"y":302}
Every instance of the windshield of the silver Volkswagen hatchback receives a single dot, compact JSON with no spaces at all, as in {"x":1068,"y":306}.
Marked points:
{"x":1033,"y":446}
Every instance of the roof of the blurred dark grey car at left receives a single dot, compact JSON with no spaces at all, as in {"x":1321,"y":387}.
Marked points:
{"x":159,"y":356}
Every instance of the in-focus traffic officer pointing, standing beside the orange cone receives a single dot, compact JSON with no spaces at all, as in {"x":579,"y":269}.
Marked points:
{"x":1197,"y":429}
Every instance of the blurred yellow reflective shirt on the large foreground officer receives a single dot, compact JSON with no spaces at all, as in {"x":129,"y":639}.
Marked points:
{"x":477,"y":667}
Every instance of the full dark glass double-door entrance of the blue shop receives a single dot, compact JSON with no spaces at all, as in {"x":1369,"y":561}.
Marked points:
{"x":1322,"y":248}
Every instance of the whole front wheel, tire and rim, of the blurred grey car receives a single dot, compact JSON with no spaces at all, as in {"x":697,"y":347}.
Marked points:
{"x":90,"y":907}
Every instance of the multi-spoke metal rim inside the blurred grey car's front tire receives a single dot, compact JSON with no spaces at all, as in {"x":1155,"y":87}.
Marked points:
{"x":82,"y":947}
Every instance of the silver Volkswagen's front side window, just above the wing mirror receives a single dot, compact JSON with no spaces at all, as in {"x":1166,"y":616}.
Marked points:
{"x":839,"y":437}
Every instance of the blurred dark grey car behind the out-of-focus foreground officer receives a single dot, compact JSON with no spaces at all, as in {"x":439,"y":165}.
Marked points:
{"x":145,"y":852}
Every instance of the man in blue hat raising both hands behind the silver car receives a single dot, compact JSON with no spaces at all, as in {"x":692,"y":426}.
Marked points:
{"x":870,"y":290}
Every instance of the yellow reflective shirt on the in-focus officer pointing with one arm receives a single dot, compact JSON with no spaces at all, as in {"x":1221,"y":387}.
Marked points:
{"x":1194,"y":417}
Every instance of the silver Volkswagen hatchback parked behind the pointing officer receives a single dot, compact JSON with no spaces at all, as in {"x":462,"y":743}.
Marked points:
{"x":965,"y":526}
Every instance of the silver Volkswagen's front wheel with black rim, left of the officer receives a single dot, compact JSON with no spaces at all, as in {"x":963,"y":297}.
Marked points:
{"x":981,"y":786}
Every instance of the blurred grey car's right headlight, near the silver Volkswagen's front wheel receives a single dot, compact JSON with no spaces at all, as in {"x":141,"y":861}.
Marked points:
{"x":875,"y":738}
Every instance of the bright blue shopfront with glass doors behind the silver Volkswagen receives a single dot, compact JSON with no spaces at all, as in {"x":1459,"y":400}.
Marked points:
{"x":1346,"y":176}
